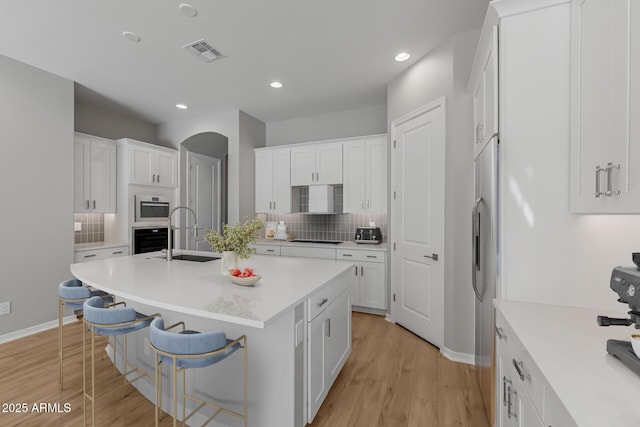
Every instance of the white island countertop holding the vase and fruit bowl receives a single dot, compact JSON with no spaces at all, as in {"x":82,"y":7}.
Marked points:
{"x":198,"y":288}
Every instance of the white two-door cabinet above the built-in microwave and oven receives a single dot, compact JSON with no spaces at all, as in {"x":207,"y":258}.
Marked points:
{"x":152,"y":165}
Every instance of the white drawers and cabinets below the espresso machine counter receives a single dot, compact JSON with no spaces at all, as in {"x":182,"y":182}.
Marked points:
{"x":524,"y":398}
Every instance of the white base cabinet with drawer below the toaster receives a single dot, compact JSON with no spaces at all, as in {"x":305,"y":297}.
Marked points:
{"x":368,"y":288}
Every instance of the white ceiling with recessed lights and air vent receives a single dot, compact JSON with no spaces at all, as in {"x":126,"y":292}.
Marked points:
{"x":331,"y":55}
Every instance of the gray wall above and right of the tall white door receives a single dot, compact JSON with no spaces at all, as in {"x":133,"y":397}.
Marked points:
{"x":444,"y":73}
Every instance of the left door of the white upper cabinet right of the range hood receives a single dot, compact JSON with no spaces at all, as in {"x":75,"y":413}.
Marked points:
{"x":353,"y":190}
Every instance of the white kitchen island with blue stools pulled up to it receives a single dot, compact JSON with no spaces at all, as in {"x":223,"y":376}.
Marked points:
{"x":275,"y":314}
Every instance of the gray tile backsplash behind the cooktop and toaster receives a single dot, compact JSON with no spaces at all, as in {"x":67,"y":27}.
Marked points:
{"x":329,"y":227}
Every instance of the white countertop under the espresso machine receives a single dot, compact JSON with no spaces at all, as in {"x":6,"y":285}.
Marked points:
{"x":570,"y":349}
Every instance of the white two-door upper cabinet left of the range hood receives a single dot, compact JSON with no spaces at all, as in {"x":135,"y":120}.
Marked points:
{"x":273,"y":180}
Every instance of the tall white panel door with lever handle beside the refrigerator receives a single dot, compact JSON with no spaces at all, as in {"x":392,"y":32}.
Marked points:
{"x":418,"y":223}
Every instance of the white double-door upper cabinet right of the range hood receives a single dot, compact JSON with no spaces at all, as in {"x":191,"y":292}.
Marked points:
{"x":365,"y":175}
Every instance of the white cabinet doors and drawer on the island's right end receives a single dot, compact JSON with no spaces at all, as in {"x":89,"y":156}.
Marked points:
{"x":329,"y":335}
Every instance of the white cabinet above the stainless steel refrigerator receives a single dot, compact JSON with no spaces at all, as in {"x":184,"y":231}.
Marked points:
{"x":484,"y":87}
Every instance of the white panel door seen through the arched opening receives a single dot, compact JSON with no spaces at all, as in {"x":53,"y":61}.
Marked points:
{"x":203,"y":196}
